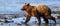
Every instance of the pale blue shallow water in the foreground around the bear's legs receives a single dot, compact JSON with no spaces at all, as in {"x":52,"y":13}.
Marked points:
{"x":33,"y":22}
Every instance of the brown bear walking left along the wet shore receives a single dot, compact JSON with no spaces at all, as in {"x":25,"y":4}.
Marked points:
{"x":38,"y":11}
